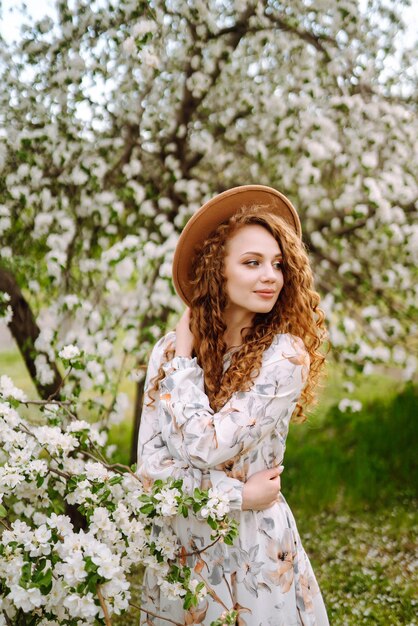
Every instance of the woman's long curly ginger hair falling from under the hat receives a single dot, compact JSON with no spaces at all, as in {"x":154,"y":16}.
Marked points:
{"x":296,"y":311}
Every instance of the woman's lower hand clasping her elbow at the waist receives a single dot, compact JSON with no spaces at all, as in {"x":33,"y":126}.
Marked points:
{"x":262,"y":489}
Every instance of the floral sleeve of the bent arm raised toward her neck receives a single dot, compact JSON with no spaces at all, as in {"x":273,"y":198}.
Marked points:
{"x":206,"y":439}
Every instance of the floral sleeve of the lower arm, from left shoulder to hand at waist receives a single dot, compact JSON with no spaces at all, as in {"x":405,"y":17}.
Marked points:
{"x":155,"y":461}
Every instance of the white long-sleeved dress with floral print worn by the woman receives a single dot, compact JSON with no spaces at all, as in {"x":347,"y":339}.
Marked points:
{"x":266,"y":574}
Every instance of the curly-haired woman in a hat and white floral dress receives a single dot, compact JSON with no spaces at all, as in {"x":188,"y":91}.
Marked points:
{"x":221,"y":391}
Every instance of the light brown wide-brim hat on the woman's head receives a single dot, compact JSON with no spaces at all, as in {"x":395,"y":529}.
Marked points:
{"x":213,"y":213}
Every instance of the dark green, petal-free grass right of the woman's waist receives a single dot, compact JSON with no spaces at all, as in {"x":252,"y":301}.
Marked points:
{"x":366,"y":457}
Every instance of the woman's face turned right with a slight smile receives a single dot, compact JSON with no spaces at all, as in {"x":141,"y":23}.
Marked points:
{"x":253,"y":270}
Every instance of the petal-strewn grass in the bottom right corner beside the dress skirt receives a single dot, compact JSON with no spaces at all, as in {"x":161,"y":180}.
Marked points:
{"x":365,"y":563}
